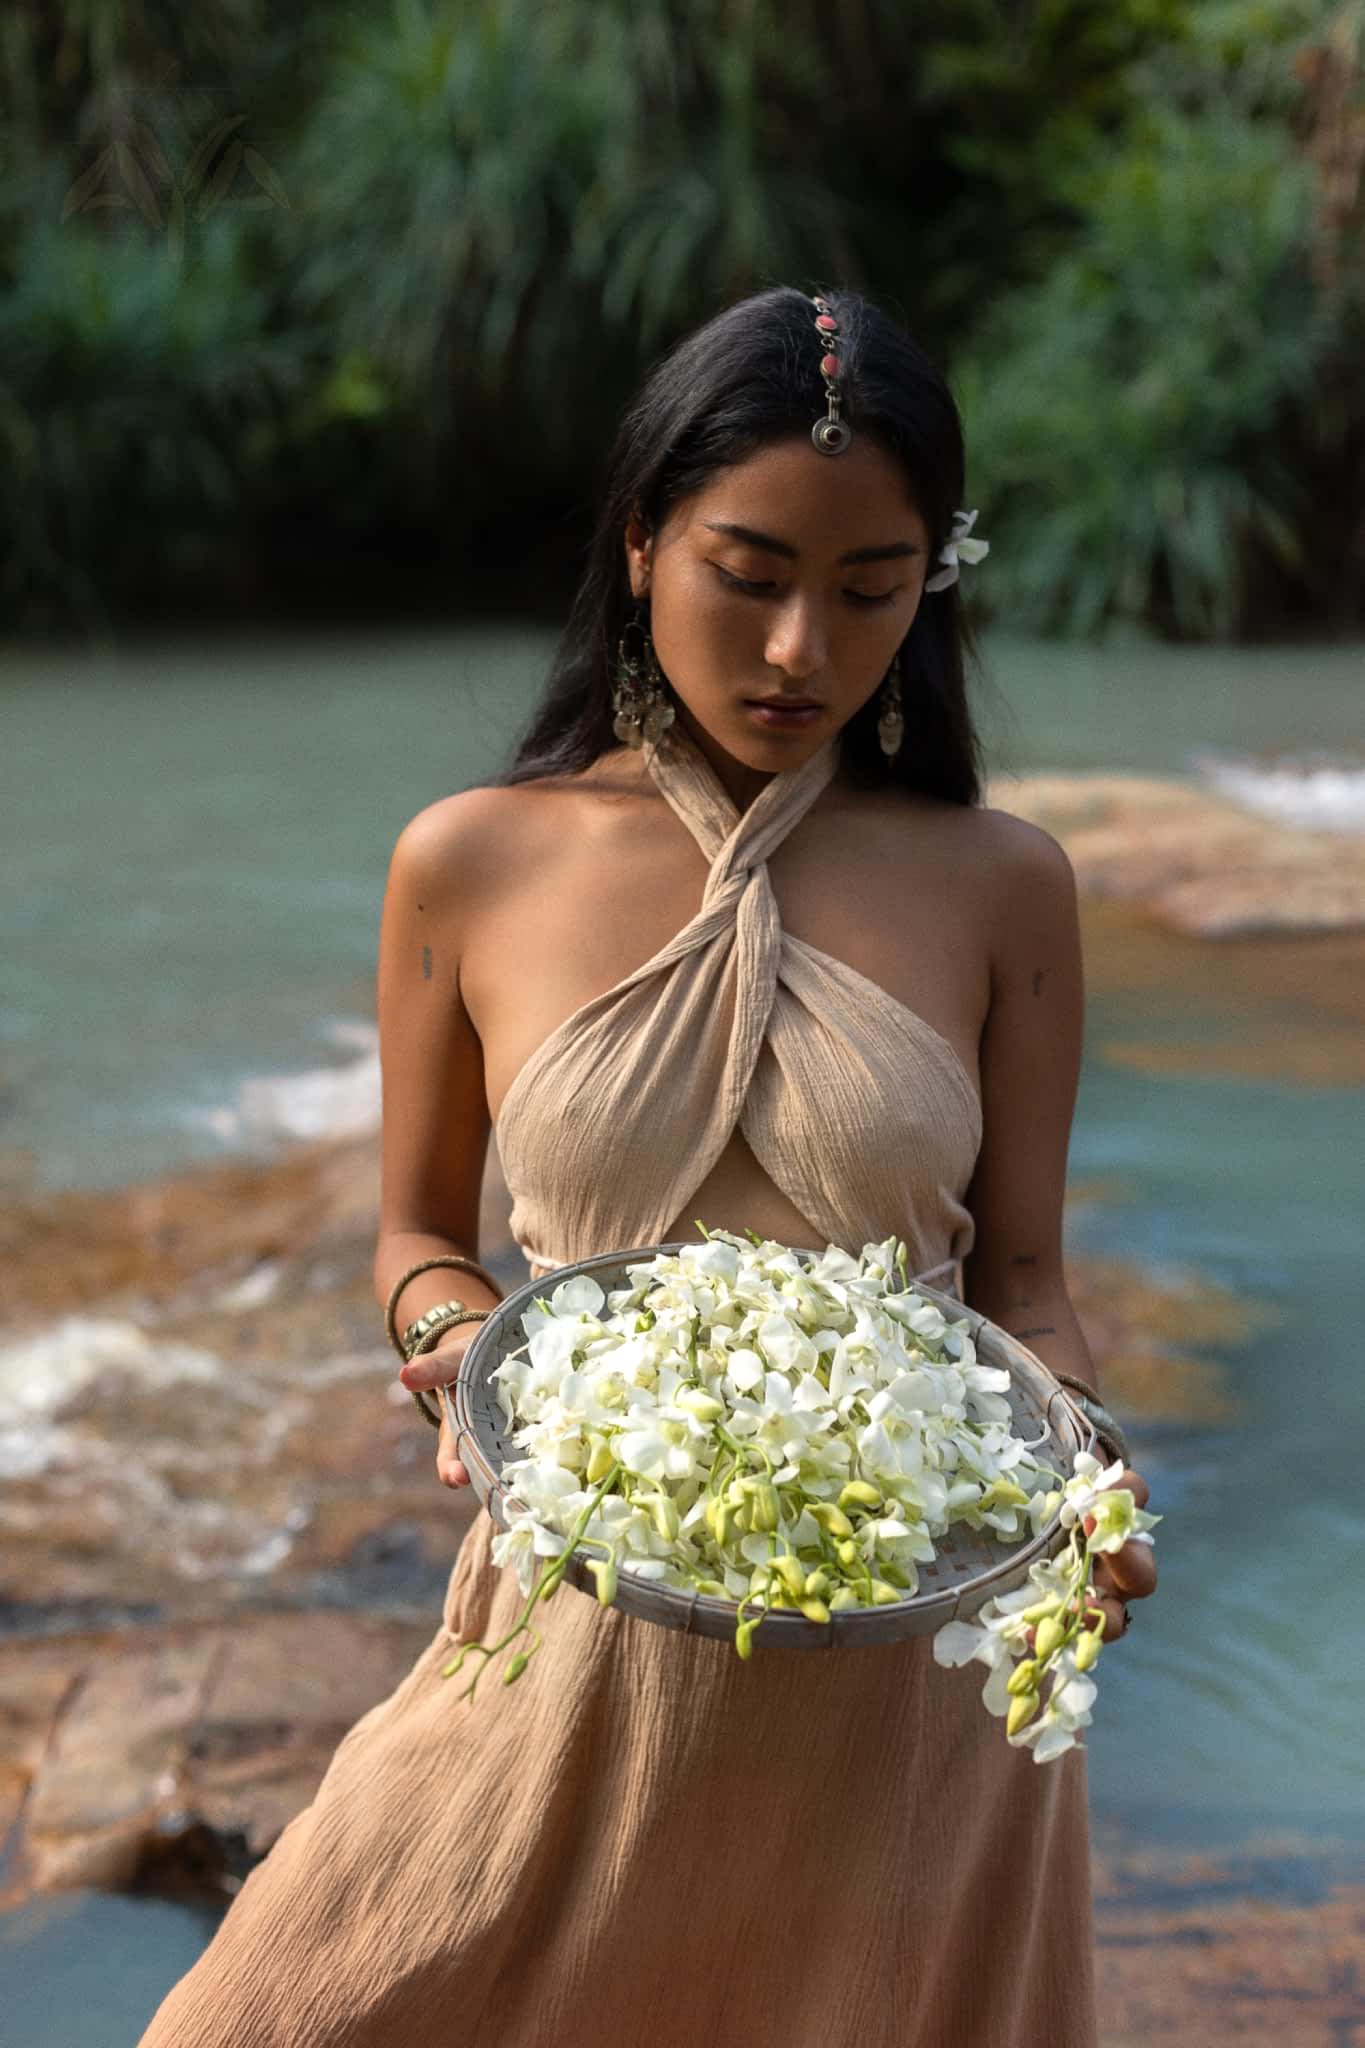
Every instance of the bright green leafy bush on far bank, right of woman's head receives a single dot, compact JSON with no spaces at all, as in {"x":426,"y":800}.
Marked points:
{"x":1114,"y":409}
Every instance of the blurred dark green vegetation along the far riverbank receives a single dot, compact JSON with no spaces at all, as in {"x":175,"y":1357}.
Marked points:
{"x":337,"y":308}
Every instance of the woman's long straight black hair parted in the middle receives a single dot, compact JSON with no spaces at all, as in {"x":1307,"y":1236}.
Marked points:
{"x":748,"y":378}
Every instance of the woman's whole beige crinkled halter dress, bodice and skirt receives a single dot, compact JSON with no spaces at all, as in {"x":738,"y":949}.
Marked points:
{"x":646,"y":1842}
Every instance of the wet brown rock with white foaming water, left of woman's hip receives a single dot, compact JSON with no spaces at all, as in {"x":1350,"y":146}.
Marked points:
{"x":222,"y":1422}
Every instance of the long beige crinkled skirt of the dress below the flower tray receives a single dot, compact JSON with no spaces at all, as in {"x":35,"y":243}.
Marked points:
{"x":648,"y":1840}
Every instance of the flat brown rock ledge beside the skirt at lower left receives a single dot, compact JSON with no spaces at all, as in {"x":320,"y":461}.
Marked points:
{"x":167,"y":1758}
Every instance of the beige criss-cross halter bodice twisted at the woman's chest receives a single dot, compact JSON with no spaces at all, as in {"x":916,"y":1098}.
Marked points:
{"x":852,"y":1105}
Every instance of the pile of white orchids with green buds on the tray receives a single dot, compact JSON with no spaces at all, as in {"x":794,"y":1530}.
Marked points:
{"x":785,"y":1435}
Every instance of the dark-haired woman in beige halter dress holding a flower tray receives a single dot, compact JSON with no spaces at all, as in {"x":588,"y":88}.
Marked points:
{"x":779,"y":970}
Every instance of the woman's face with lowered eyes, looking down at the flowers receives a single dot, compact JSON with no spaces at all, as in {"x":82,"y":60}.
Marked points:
{"x":787,"y":577}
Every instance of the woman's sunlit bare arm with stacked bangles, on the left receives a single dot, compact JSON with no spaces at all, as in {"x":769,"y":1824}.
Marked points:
{"x":435,"y":1105}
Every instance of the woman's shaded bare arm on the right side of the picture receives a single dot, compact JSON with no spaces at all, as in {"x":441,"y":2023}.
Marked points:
{"x":1030,"y":1072}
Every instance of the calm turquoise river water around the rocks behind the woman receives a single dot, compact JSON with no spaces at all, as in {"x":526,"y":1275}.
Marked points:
{"x":195,"y":847}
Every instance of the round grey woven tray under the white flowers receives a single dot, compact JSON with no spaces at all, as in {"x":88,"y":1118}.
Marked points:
{"x":971,"y":1566}
